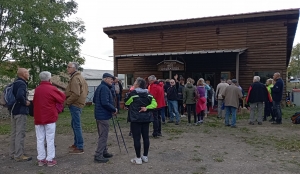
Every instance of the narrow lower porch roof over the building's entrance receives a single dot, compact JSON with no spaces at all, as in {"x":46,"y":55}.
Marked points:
{"x":238,"y":50}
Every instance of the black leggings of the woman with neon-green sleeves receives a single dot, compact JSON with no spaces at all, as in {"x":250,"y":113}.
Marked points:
{"x":139,"y":129}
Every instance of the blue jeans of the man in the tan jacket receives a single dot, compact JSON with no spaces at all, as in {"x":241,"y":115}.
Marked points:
{"x":76,"y":126}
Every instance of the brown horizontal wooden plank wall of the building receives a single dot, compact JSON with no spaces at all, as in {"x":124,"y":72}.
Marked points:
{"x":265,"y":40}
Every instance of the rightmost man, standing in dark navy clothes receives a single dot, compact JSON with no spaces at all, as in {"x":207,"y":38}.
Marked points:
{"x":277,"y":91}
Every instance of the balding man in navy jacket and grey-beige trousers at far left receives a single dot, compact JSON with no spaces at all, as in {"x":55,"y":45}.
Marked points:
{"x":19,"y":114}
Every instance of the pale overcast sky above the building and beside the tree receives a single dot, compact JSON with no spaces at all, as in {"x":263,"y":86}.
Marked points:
{"x":97,"y":14}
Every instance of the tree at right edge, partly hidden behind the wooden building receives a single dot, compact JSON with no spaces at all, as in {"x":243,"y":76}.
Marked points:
{"x":294,"y":66}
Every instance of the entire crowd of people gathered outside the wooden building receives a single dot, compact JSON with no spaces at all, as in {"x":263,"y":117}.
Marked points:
{"x":149,"y":100}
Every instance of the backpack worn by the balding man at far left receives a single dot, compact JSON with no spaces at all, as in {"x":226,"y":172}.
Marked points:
{"x":7,"y":98}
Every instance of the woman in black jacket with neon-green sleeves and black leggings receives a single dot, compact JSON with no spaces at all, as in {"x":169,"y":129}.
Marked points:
{"x":140,"y":103}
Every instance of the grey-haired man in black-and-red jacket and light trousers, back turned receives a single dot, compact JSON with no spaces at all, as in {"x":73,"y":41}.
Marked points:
{"x":257,"y":94}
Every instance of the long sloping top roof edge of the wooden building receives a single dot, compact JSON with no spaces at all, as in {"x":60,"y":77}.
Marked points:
{"x":202,"y":20}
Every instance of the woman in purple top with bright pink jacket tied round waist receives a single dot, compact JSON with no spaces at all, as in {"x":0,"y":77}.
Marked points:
{"x":201,"y":103}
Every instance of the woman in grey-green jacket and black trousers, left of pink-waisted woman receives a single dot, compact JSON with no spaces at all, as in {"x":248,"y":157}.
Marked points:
{"x":189,"y":99}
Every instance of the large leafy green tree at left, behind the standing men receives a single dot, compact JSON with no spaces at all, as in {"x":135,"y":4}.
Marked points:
{"x":43,"y":39}
